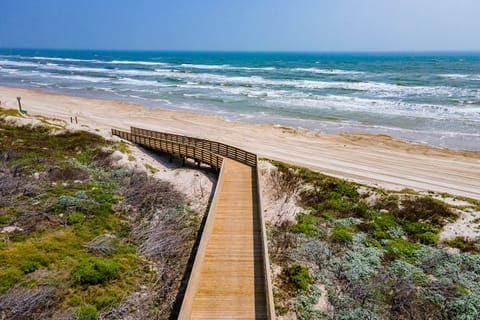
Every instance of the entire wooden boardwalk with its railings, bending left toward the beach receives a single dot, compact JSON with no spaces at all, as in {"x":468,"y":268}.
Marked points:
{"x":230,"y":278}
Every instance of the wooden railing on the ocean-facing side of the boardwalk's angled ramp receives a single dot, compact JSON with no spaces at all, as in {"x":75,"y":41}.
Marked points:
{"x":218,"y":148}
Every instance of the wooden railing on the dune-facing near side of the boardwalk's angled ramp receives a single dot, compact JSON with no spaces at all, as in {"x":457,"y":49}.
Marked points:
{"x":174,"y":148}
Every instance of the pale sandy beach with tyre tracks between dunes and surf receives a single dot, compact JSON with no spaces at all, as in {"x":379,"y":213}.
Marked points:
{"x":376,"y":160}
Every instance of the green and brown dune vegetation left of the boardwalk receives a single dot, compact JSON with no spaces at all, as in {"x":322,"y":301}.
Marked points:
{"x":82,"y":238}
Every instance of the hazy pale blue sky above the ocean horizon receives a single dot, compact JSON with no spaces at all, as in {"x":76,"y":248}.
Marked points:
{"x":252,"y":25}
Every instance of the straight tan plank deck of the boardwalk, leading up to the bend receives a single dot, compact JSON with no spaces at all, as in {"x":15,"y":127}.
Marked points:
{"x":231,"y":280}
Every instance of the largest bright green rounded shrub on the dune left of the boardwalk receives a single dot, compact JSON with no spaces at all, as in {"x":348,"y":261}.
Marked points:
{"x":95,"y":271}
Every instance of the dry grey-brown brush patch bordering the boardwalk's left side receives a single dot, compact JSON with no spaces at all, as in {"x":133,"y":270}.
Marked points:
{"x":165,"y":231}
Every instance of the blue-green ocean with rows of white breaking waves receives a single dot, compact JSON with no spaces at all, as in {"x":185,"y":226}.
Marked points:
{"x":430,"y":98}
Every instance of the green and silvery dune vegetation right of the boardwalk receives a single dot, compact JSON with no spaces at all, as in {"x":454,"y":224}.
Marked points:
{"x":366,"y":253}
